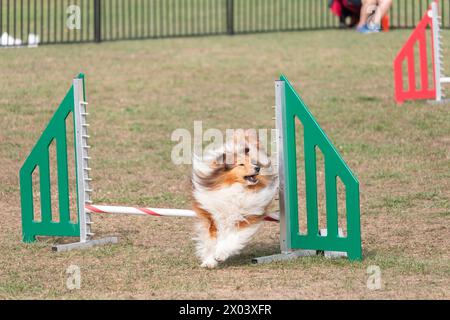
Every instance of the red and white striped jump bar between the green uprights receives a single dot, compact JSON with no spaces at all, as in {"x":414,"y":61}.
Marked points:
{"x":158,"y":212}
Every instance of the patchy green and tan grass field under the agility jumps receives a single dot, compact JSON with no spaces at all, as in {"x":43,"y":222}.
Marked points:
{"x":140,"y":91}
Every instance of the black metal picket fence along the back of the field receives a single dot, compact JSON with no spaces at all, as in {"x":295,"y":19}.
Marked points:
{"x":69,"y":21}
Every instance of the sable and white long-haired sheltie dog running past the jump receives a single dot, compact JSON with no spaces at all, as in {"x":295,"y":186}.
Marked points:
{"x":233,"y":186}
